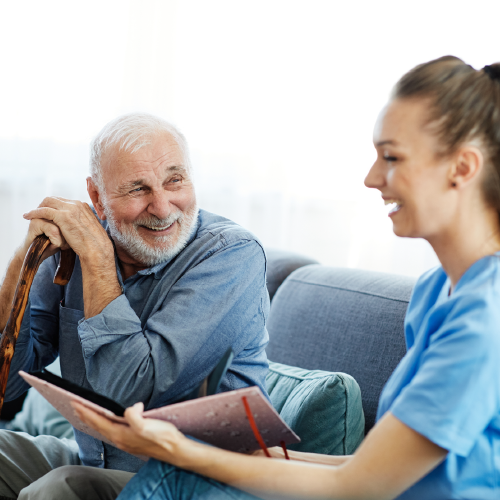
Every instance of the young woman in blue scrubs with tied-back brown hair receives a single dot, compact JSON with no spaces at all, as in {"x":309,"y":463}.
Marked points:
{"x":438,"y":429}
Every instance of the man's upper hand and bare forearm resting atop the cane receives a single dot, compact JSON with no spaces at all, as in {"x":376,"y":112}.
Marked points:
{"x":72,"y":224}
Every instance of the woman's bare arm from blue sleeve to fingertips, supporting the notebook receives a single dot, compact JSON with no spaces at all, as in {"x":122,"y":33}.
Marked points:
{"x":391,"y":459}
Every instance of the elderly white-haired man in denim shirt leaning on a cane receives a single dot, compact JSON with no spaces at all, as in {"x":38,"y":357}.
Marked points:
{"x":159,"y":291}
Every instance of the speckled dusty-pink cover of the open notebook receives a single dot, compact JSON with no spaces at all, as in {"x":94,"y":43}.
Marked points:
{"x":219,"y":420}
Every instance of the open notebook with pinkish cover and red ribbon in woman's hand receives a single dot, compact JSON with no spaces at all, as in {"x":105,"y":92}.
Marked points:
{"x":217,"y":419}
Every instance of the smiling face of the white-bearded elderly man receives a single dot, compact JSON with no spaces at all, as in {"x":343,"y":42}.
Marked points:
{"x":149,"y":201}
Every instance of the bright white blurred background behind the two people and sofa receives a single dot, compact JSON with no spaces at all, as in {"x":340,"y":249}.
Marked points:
{"x":277,"y":99}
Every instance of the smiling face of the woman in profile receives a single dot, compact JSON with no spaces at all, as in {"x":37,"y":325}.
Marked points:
{"x":412,"y":179}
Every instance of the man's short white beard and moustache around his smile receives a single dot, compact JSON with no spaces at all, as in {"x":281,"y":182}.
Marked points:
{"x":130,"y":240}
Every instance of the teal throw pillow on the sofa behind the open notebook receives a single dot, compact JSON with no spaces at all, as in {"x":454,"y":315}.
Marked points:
{"x":323,"y":408}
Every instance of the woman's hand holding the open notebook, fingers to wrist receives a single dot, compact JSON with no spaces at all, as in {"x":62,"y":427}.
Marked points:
{"x":143,"y":436}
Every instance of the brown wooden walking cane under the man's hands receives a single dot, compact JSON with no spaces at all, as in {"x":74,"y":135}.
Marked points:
{"x":28,"y":271}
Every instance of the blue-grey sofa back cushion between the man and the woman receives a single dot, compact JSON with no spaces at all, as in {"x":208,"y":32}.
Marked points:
{"x":342,"y":320}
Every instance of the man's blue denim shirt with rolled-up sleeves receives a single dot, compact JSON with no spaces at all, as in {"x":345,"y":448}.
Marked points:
{"x":161,"y":337}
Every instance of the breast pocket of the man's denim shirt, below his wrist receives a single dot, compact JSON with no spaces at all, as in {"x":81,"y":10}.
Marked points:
{"x":70,"y":349}
